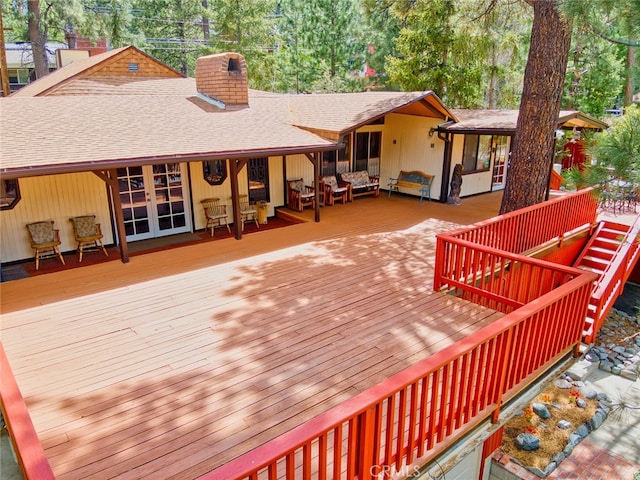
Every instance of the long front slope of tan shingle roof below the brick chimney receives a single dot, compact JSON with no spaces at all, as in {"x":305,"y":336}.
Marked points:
{"x":75,"y":133}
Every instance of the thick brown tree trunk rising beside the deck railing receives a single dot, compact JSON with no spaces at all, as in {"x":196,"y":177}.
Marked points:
{"x":532,"y":155}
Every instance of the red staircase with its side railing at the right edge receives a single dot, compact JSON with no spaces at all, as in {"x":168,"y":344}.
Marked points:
{"x":611,"y":247}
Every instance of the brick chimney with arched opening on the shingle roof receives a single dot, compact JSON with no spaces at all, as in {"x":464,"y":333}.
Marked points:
{"x":223,"y":77}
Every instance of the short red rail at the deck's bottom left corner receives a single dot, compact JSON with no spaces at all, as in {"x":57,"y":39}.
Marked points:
{"x":29,"y":453}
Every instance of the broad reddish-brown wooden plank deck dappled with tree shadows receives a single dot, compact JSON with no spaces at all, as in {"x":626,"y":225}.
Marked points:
{"x":181,"y":360}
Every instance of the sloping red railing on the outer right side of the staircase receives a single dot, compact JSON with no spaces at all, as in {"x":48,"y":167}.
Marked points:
{"x":610,"y":284}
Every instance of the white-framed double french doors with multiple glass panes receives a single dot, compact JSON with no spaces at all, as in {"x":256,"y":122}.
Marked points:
{"x":154,"y":200}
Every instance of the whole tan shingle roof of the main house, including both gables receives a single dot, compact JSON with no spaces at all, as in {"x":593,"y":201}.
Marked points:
{"x":78,"y":118}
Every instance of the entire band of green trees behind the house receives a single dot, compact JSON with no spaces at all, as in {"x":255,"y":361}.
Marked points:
{"x":472,"y":53}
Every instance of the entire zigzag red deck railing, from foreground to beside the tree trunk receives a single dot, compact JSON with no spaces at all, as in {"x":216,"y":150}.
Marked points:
{"x":419,"y":412}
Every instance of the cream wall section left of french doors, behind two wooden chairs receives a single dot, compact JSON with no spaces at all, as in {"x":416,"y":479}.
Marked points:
{"x":57,"y":198}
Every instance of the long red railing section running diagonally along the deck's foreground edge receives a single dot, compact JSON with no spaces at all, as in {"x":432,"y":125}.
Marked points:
{"x":417,"y":413}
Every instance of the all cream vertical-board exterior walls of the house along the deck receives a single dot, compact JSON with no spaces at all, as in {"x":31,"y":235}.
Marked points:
{"x":406,"y":145}
